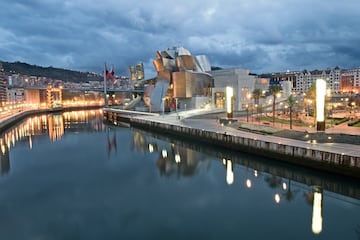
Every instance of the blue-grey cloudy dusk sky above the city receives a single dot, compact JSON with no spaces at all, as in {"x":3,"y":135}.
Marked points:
{"x":259,"y":35}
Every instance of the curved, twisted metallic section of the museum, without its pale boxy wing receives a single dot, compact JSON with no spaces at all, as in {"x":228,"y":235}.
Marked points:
{"x":180,"y":76}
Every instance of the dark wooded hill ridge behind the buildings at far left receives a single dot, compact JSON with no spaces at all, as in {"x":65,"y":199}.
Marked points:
{"x":49,"y":72}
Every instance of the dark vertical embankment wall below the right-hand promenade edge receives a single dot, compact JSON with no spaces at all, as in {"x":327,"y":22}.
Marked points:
{"x":328,"y":161}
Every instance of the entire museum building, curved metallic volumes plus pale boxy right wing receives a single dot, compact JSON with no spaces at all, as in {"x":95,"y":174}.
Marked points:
{"x":185,"y":81}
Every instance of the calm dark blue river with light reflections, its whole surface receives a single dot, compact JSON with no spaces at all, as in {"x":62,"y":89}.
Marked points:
{"x":70,"y":176}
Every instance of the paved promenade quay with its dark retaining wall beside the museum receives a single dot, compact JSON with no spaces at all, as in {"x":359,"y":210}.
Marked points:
{"x":337,"y":158}
